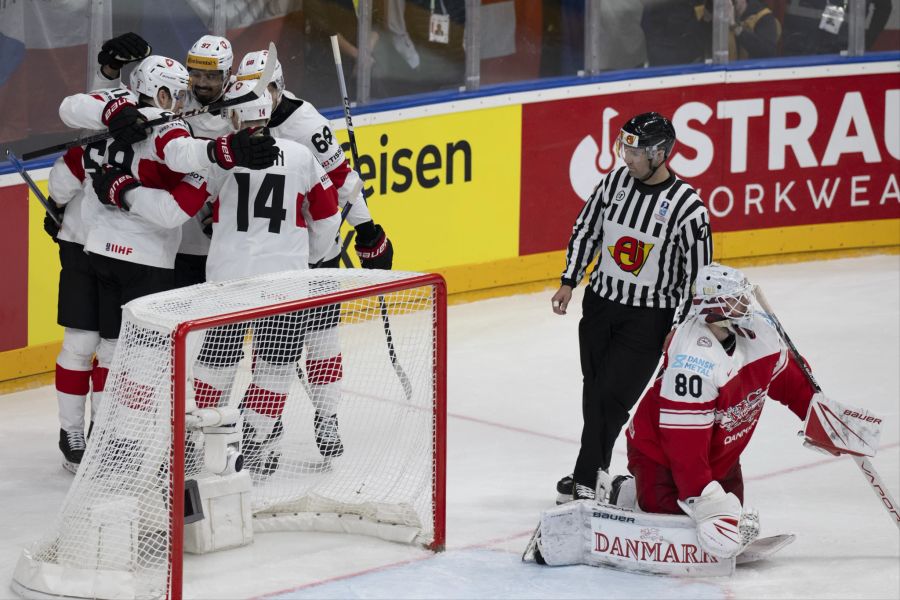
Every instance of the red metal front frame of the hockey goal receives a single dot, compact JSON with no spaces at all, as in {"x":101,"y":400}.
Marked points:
{"x":179,"y":372}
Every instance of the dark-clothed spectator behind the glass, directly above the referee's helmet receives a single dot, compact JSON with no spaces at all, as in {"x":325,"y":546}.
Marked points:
{"x":673,"y":31}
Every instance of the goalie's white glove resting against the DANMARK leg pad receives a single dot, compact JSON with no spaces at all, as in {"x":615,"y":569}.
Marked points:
{"x":724,"y":528}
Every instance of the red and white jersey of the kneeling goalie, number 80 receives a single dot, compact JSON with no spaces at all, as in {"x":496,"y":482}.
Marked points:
{"x":699,"y":414}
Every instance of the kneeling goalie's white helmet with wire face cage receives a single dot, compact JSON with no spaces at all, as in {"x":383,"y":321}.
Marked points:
{"x":723,"y":294}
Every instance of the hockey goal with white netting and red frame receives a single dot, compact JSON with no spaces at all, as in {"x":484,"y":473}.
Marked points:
{"x":333,"y":381}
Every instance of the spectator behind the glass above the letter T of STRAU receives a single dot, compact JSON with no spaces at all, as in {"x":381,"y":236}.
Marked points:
{"x":754,"y":29}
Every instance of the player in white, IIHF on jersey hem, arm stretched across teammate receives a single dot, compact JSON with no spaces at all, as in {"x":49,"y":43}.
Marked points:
{"x":133,"y":257}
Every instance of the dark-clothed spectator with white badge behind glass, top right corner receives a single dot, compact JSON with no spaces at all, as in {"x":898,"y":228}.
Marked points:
{"x":807,"y":32}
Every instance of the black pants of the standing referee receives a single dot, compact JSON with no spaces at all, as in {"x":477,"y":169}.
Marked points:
{"x":620,"y":349}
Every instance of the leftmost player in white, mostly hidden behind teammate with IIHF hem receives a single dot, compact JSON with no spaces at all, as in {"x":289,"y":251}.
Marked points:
{"x":77,"y":309}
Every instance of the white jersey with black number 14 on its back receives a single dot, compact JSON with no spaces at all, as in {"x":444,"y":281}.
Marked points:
{"x":275,"y":219}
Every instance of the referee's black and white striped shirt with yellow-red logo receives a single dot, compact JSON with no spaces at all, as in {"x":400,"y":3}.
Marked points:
{"x":651,"y":240}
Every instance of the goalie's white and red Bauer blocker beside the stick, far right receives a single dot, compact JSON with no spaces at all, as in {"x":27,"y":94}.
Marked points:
{"x":839,"y":429}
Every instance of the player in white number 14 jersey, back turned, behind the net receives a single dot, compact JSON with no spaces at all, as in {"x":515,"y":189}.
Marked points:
{"x":285,"y":217}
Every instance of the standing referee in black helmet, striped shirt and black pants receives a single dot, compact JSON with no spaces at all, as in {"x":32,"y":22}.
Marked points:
{"x":651,"y":232}
